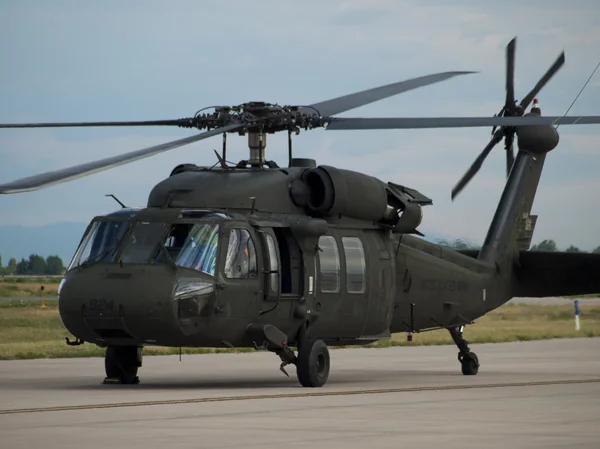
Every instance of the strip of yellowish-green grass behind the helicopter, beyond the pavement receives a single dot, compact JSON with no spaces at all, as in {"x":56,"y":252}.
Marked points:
{"x":28,"y":331}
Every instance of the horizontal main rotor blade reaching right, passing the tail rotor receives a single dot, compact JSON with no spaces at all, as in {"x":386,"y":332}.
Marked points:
{"x":455,"y":122}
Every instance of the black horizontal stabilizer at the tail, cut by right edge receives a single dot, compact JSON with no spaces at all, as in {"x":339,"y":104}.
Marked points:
{"x":542,"y":274}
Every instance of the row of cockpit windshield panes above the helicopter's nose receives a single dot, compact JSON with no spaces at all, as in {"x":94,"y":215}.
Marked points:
{"x":188,"y":245}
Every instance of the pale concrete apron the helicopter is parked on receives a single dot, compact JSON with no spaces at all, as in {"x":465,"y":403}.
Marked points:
{"x":543,"y":394}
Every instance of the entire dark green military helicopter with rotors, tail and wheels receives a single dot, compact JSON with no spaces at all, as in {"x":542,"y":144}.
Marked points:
{"x":295,"y":259}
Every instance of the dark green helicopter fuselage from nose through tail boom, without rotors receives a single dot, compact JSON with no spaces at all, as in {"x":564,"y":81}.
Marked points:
{"x":195,"y":275}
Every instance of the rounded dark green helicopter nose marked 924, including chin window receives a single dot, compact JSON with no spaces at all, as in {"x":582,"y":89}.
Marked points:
{"x":149,"y":305}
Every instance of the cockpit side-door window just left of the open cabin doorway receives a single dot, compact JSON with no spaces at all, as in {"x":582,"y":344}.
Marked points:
{"x":240,"y":262}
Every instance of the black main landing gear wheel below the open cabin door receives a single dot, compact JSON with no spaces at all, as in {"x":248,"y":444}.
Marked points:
{"x":312,"y":365}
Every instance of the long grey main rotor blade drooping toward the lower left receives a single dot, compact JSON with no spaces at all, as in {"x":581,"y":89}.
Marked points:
{"x":77,"y":171}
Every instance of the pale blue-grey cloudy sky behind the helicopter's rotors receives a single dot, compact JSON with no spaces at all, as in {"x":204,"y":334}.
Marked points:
{"x":142,"y":60}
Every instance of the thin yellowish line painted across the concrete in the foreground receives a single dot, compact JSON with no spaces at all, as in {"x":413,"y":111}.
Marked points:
{"x":294,"y":395}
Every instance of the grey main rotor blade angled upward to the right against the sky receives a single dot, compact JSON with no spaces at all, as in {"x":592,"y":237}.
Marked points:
{"x":355,"y":100}
